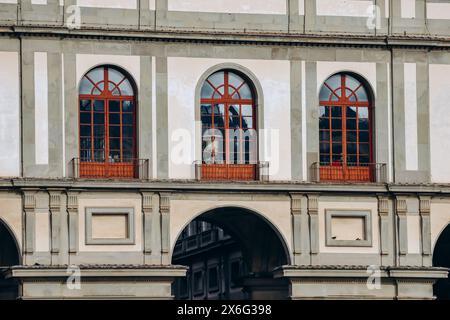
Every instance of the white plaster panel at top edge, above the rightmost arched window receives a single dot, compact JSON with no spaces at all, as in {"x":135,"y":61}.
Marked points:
{"x":349,"y":8}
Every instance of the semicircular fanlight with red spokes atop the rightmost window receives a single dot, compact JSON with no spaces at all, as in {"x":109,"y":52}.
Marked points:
{"x":343,"y":87}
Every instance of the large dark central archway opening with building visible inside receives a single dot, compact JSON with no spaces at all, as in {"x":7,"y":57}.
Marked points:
{"x":230,"y":253}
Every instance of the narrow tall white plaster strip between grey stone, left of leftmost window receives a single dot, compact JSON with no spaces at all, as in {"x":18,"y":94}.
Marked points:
{"x":41,"y":107}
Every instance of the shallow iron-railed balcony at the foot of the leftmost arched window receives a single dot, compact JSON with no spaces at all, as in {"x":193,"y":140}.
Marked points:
{"x":130,"y":169}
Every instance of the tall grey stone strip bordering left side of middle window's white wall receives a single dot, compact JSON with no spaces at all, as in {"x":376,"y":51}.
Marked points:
{"x":162,"y":134}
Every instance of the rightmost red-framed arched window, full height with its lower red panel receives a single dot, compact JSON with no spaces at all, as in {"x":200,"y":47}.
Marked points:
{"x":345,"y":125}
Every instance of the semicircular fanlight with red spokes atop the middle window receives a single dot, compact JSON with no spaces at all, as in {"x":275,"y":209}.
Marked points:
{"x":226,"y":85}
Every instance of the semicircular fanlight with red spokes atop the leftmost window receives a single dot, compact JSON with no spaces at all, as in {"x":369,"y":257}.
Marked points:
{"x":118,"y":84}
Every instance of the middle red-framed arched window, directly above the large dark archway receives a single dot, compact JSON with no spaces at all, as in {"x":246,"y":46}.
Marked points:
{"x":229,"y":139}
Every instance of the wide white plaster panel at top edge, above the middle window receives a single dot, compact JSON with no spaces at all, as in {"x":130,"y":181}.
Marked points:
{"x":229,"y":6}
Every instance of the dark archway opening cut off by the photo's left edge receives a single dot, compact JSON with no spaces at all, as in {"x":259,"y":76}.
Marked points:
{"x":9,"y":256}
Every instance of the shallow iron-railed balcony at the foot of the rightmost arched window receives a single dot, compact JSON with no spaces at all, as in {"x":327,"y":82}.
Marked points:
{"x":349,"y":172}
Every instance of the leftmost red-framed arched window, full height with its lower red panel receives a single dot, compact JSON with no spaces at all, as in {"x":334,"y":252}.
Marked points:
{"x":107,"y":112}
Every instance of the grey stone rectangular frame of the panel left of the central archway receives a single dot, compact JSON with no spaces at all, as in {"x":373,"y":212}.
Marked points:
{"x":129,"y":240}
